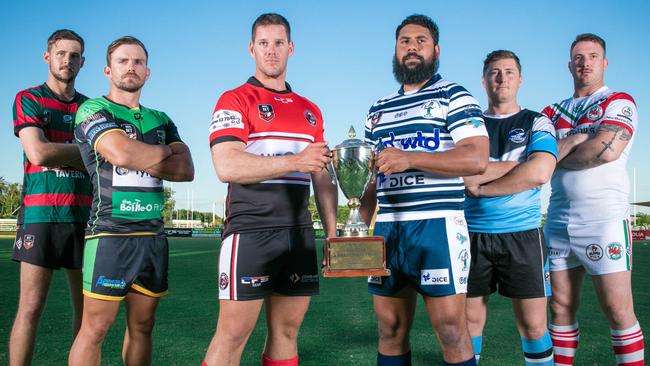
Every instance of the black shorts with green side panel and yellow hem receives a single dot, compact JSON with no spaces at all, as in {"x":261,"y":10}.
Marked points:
{"x":113,"y":265}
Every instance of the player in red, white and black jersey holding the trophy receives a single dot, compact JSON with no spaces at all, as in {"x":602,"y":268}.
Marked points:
{"x":267,"y":144}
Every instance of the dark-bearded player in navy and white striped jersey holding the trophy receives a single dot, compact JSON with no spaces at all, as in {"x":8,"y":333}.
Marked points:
{"x":429,"y":134}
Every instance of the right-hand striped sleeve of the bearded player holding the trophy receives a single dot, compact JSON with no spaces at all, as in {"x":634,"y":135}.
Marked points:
{"x":464,"y":117}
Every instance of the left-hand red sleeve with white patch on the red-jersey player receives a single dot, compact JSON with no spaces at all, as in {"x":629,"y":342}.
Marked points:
{"x":229,"y":120}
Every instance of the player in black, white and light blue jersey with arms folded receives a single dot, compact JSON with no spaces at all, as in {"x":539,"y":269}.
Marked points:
{"x":503,"y":212}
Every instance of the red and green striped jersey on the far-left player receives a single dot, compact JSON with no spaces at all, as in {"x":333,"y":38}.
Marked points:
{"x":51,"y":194}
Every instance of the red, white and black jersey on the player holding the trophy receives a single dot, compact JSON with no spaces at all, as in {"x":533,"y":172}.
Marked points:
{"x":270,"y":123}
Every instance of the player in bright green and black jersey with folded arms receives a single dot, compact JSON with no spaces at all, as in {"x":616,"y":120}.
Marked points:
{"x":128,"y":150}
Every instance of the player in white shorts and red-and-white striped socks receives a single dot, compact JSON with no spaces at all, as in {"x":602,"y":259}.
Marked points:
{"x":587,"y":228}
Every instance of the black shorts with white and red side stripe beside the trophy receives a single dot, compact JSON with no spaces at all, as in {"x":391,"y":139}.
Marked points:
{"x":253,"y":265}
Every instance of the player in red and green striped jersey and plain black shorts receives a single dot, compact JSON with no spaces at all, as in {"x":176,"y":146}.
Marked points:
{"x":56,"y":192}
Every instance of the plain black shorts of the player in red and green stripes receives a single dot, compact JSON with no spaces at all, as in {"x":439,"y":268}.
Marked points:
{"x":50,"y":245}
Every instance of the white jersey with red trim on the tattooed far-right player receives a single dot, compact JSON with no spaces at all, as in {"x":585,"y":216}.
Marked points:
{"x":596,"y":194}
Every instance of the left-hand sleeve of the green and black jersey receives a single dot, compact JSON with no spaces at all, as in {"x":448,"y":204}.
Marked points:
{"x":92,"y":123}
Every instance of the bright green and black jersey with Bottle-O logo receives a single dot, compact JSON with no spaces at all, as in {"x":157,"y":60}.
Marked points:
{"x":125,"y":202}
